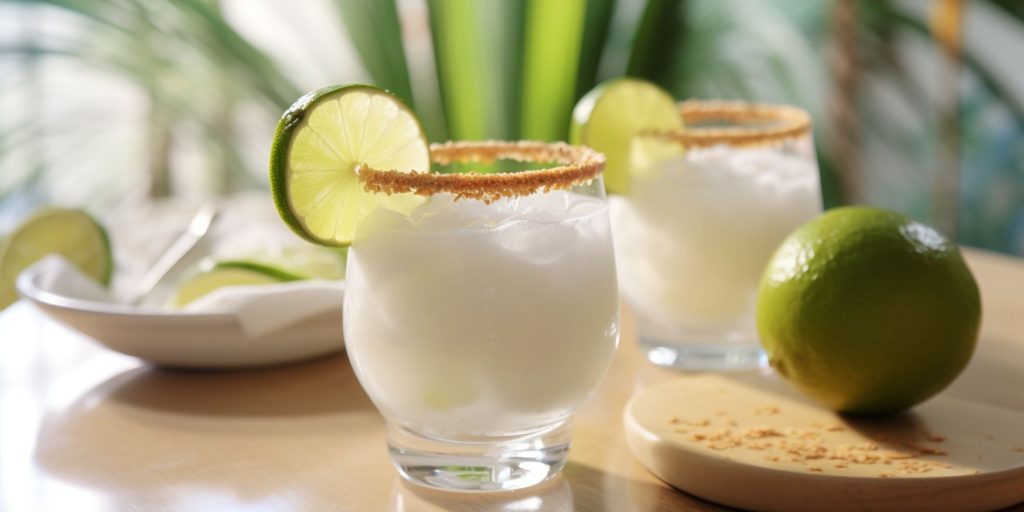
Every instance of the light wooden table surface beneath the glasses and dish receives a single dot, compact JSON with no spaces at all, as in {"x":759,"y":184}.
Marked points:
{"x":83,"y":429}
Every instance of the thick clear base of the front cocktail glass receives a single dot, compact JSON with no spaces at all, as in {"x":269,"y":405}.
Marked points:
{"x":480,"y":464}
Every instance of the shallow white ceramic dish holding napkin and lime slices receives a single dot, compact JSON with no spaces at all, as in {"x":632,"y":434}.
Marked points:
{"x":208,"y":340}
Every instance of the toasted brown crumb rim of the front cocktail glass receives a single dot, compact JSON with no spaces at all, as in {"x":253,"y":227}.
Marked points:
{"x":577,"y":165}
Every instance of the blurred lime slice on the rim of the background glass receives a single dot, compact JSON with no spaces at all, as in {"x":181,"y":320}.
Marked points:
{"x":609,"y":117}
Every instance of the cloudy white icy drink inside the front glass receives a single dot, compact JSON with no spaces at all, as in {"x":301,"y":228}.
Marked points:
{"x":475,"y":320}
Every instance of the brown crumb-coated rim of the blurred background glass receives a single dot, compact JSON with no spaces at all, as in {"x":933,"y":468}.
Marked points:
{"x":785,"y":122}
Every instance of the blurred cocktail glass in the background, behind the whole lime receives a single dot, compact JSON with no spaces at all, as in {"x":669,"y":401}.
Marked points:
{"x":707,"y":208}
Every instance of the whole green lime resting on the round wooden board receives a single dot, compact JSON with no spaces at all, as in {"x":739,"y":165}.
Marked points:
{"x":868,"y":311}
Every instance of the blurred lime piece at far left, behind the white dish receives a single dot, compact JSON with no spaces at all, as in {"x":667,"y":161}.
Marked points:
{"x":72,"y":234}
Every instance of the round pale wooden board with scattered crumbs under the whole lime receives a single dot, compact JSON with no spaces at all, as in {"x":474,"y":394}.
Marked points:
{"x":752,"y":443}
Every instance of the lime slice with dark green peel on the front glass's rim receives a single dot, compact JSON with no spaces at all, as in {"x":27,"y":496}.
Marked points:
{"x":318,"y":148}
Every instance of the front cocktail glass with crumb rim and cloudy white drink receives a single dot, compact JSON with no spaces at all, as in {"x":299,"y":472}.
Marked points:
{"x":481,"y":320}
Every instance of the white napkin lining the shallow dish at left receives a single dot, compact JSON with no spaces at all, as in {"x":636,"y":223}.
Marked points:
{"x":259,"y":309}
